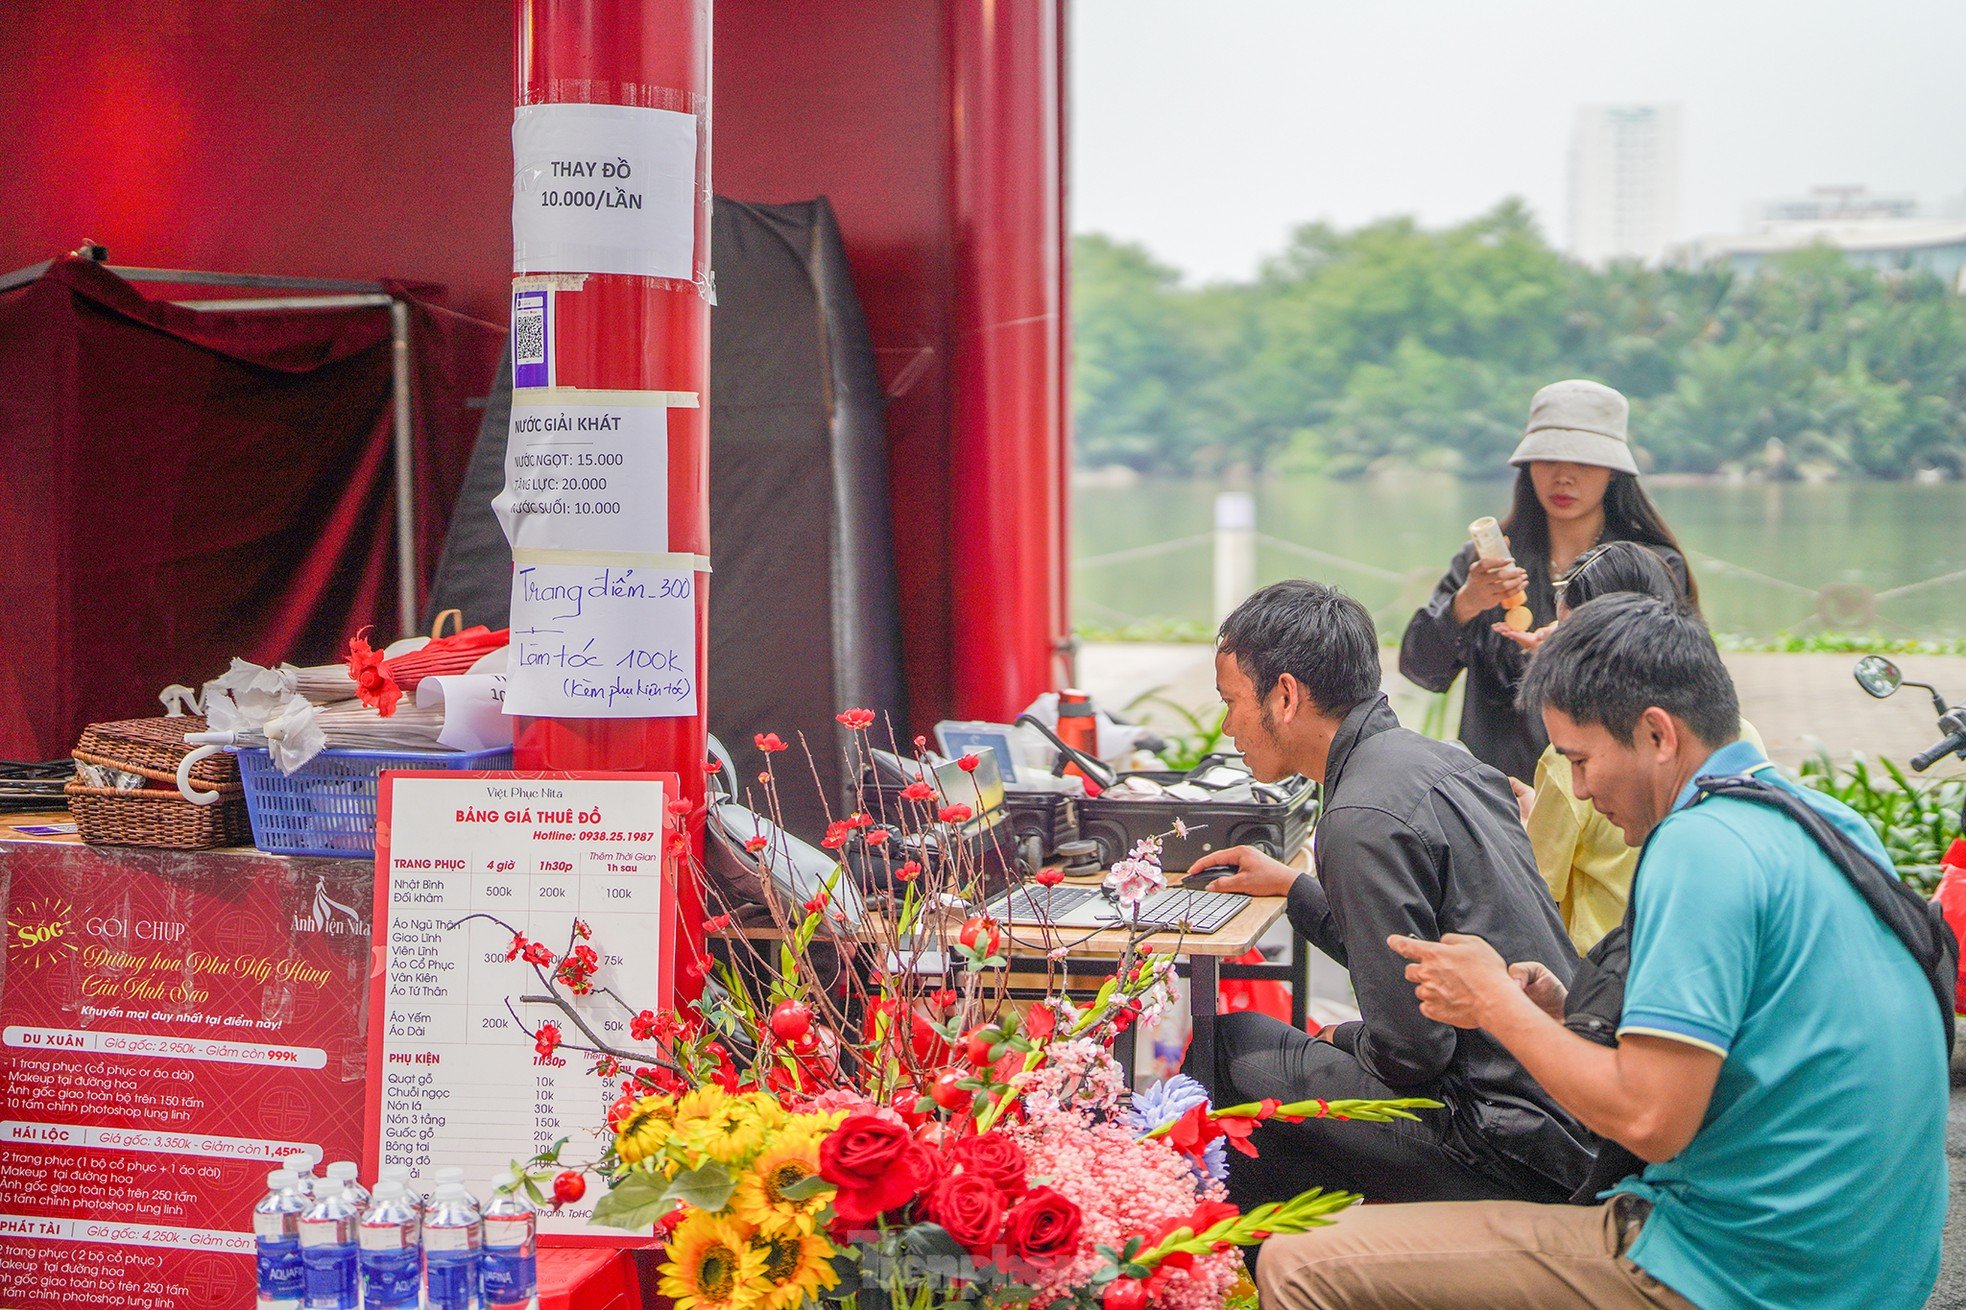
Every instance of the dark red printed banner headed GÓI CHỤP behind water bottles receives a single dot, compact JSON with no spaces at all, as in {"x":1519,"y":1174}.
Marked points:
{"x":170,"y":1028}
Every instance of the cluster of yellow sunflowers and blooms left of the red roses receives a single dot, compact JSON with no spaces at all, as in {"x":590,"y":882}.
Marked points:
{"x":762,"y":1250}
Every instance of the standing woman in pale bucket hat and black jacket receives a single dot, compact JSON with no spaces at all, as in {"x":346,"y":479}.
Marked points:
{"x":1576,"y":487}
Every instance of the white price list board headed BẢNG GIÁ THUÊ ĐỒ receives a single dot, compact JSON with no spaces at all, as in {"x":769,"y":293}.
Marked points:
{"x":471,"y":868}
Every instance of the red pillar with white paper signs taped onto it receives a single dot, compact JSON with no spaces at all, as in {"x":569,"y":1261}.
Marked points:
{"x":632,"y":333}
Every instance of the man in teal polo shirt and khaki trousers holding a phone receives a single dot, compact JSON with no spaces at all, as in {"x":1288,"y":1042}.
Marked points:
{"x":1780,"y":1061}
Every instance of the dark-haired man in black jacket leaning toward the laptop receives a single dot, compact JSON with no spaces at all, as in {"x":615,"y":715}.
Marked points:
{"x":1415,"y":839}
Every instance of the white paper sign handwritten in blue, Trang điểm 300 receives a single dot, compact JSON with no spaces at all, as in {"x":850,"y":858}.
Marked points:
{"x":603,"y":642}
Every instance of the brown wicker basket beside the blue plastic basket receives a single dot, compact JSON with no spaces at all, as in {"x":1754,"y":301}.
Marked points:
{"x":156,"y":813}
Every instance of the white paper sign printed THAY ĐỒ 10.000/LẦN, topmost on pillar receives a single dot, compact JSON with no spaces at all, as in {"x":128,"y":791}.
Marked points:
{"x":605,"y":190}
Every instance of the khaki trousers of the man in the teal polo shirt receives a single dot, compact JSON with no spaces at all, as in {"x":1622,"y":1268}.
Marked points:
{"x":1466,"y":1256}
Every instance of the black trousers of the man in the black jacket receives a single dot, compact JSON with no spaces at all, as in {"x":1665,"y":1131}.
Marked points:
{"x":1401,"y":1161}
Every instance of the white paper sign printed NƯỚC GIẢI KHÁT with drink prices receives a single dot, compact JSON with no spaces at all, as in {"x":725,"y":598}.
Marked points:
{"x":589,"y":471}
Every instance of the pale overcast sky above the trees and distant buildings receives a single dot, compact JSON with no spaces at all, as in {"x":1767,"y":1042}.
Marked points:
{"x":1206,"y":131}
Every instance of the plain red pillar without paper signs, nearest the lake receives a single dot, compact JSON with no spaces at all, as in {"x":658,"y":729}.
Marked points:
{"x":1008,"y":446}
